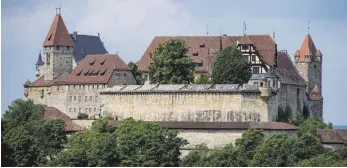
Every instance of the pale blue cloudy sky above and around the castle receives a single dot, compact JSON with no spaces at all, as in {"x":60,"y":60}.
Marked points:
{"x":128,"y":27}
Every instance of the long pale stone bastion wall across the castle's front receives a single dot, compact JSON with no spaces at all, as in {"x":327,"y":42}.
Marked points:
{"x":187,"y":106}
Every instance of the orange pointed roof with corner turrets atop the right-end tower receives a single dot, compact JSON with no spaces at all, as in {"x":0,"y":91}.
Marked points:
{"x":307,"y":48}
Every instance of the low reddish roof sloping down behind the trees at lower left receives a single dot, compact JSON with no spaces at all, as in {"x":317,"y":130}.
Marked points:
{"x":54,"y":113}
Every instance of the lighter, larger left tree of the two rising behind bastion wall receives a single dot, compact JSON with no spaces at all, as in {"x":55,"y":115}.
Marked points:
{"x":171,"y":64}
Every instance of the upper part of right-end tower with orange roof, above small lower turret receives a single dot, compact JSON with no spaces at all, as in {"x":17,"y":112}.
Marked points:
{"x":308,"y":61}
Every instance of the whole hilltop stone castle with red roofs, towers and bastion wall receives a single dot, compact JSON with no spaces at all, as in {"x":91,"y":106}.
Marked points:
{"x":77,"y":75}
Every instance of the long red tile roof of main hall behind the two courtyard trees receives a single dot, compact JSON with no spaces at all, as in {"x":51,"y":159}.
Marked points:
{"x":263,"y":43}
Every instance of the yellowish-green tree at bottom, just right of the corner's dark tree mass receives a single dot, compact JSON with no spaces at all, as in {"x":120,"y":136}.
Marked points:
{"x":93,"y":148}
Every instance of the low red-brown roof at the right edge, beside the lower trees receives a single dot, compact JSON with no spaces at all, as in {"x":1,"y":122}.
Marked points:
{"x":332,"y":136}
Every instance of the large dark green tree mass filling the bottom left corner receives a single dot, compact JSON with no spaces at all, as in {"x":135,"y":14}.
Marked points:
{"x":30,"y":139}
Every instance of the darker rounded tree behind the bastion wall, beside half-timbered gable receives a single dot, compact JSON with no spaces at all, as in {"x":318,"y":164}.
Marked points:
{"x":230,"y":67}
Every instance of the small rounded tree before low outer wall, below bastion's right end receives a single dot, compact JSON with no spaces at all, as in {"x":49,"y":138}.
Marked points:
{"x":248,"y":143}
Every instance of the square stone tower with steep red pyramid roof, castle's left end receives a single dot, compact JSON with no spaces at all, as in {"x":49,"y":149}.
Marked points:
{"x":57,"y":49}
